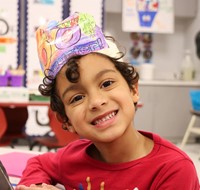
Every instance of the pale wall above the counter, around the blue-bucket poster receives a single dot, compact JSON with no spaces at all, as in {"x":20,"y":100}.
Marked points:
{"x":168,"y":49}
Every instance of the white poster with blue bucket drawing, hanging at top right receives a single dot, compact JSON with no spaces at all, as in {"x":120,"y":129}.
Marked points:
{"x":151,"y":16}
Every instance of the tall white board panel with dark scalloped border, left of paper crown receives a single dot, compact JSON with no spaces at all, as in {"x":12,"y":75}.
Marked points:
{"x":39,"y":12}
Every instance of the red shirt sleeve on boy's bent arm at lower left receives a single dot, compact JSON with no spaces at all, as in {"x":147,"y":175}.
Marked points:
{"x":42,"y":169}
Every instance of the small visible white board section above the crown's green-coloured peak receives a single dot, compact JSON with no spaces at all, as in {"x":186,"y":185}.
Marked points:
{"x":93,"y":7}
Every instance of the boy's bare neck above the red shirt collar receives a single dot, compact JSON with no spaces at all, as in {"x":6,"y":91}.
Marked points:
{"x":122,"y":150}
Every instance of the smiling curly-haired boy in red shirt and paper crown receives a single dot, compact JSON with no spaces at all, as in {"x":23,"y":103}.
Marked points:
{"x":95,"y":93}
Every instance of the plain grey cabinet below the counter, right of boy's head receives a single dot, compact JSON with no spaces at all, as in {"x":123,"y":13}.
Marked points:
{"x":166,"y":110}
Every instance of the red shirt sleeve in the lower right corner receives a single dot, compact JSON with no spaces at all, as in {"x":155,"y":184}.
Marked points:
{"x":181,"y":175}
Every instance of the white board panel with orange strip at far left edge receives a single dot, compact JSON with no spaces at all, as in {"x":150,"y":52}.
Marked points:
{"x":9,"y":35}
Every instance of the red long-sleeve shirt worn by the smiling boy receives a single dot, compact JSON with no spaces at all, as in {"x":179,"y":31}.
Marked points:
{"x":165,"y":168}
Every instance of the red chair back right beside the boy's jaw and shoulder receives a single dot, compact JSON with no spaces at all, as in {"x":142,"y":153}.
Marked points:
{"x":64,"y":137}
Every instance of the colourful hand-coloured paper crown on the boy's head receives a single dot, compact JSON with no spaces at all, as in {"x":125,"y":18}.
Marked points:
{"x":78,"y":34}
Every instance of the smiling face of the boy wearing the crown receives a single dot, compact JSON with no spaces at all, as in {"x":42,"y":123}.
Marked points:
{"x":100,"y":106}
